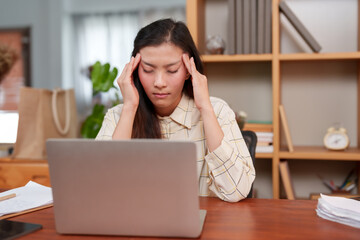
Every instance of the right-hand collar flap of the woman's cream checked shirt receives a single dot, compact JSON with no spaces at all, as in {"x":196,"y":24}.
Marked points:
{"x":182,"y":113}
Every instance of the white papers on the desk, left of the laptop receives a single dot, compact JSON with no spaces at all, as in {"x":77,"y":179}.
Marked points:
{"x":32,"y":195}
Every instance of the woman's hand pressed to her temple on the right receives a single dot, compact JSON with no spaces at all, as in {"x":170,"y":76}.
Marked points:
{"x":199,"y":82}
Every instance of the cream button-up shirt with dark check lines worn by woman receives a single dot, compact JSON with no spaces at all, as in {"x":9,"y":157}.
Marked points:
{"x":228,"y":171}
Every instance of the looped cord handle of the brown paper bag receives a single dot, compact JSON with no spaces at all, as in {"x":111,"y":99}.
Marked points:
{"x":65,"y":130}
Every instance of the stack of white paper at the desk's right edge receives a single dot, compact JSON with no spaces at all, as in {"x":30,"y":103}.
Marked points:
{"x":339,"y":209}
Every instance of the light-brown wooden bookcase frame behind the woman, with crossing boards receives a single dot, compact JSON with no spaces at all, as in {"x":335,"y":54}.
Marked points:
{"x":196,"y":23}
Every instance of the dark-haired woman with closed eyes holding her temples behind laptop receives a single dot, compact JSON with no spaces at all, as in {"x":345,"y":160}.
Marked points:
{"x":165,"y":95}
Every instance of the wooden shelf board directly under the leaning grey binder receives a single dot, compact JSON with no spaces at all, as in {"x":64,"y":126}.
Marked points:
{"x":319,"y":56}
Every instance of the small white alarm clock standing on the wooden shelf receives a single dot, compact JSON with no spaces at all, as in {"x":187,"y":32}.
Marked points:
{"x":336,"y":139}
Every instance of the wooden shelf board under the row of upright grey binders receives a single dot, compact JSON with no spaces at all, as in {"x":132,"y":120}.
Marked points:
{"x":237,"y":58}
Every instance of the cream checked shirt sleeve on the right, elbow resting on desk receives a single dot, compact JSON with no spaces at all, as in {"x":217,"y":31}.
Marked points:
{"x":230,"y":165}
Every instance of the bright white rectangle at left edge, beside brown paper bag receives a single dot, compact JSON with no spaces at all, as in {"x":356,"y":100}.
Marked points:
{"x":8,"y":126}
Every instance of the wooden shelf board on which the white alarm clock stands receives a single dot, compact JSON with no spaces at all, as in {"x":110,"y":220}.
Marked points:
{"x":320,"y":153}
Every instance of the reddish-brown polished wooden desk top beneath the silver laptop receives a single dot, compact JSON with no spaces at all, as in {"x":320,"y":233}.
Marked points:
{"x":248,"y":219}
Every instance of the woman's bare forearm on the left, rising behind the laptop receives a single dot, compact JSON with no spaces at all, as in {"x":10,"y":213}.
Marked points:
{"x":124,"y":127}
